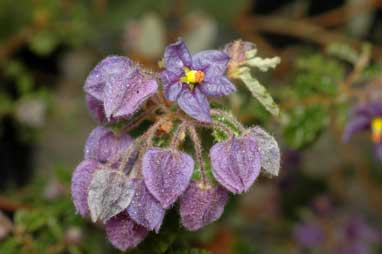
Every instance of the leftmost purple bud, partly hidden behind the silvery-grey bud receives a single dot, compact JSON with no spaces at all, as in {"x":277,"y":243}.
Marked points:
{"x":81,"y":179}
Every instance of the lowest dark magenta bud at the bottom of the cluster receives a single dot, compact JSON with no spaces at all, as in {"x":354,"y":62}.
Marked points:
{"x":123,"y":233}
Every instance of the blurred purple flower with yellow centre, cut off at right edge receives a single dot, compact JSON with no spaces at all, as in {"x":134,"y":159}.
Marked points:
{"x":367,"y":117}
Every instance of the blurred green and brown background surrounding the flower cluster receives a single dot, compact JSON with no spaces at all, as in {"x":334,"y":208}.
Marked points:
{"x":328,"y":197}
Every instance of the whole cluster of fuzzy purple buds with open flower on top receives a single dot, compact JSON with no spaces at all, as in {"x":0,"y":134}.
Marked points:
{"x":128,"y":183}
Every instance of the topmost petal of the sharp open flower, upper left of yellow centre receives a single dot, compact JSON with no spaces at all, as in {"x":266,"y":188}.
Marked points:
{"x":177,"y":56}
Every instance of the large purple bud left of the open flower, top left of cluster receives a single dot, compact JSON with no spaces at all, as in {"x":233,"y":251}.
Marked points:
{"x":116,"y":88}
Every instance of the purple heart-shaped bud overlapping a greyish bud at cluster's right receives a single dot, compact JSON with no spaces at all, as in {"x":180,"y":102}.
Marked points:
{"x":236,"y":163}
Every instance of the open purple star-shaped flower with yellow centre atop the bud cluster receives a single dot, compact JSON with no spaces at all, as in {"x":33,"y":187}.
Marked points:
{"x":190,"y":79}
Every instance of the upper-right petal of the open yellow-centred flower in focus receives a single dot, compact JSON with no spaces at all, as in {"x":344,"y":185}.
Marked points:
{"x":212,"y":62}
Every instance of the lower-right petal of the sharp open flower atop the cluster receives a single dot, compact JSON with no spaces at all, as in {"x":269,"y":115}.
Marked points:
{"x":219,"y":87}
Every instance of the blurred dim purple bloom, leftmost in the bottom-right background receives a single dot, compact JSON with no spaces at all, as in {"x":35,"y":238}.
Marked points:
{"x":308,"y":234}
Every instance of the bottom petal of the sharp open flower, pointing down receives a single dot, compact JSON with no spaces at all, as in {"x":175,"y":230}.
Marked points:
{"x":195,"y":104}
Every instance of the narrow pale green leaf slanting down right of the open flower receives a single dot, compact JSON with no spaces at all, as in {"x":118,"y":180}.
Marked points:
{"x":258,"y":91}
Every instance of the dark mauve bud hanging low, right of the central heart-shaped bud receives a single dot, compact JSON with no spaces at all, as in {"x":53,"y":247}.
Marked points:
{"x":202,"y":204}
